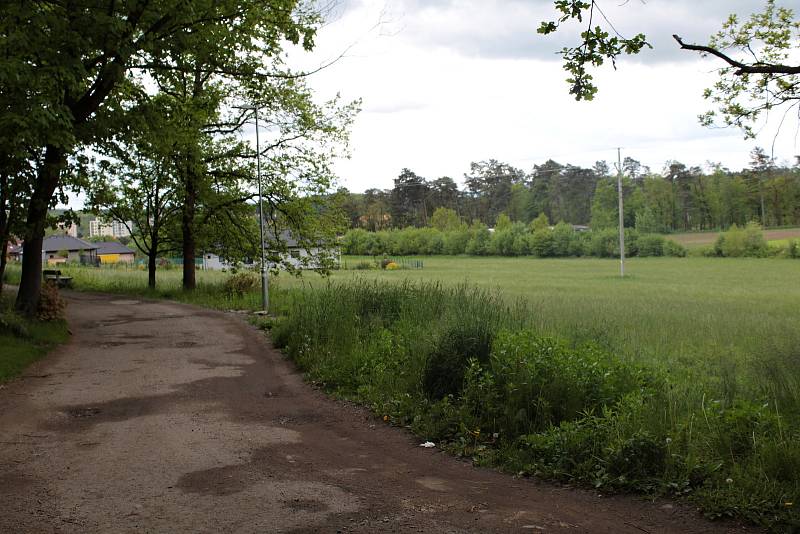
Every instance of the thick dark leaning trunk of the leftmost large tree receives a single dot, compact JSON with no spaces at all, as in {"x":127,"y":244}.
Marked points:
{"x":47,"y":180}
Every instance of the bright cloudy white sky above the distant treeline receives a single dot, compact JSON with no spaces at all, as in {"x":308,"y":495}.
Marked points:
{"x":448,"y":82}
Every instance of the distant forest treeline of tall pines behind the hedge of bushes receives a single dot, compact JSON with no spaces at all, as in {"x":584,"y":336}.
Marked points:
{"x":680,"y":198}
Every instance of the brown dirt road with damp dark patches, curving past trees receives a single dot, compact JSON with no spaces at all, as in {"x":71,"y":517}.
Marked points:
{"x":160,"y":417}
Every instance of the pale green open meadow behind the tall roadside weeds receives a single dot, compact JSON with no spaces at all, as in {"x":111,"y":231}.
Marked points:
{"x":685,"y":313}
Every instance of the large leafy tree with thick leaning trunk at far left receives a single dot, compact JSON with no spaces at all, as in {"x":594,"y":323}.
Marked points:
{"x":68,"y":65}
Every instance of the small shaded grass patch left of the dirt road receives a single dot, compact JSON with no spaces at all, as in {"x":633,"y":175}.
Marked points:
{"x":24,"y":341}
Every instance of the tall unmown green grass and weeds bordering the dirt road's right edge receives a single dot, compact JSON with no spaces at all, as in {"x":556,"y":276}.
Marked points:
{"x":463,"y":366}
